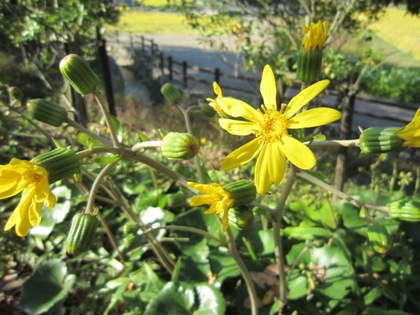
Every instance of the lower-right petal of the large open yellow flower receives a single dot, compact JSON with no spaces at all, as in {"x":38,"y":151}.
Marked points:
{"x":297,"y":153}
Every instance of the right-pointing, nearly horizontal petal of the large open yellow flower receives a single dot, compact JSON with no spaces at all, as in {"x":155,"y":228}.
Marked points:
{"x":314,"y":117}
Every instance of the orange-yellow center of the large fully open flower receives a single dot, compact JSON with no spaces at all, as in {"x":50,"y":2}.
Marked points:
{"x":273,"y":126}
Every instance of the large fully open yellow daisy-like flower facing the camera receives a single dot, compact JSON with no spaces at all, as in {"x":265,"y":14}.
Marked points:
{"x":273,"y":143}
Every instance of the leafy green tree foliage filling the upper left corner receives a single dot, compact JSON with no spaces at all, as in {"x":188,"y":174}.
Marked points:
{"x":35,"y":32}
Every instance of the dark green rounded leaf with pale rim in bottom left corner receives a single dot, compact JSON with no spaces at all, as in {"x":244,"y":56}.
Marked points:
{"x":48,"y":286}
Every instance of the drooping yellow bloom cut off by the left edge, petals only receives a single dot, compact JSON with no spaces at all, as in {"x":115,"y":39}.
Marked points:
{"x":32,"y":179}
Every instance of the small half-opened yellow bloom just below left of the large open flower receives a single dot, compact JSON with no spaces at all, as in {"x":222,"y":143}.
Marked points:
{"x":214,"y":195}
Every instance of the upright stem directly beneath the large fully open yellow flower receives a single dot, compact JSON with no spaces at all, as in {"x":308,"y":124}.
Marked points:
{"x":279,"y":254}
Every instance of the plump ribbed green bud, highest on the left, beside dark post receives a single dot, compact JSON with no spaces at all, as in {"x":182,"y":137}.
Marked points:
{"x":79,"y":74}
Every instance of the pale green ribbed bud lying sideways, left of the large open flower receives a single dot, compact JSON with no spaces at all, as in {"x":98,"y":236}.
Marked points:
{"x":179,"y":146}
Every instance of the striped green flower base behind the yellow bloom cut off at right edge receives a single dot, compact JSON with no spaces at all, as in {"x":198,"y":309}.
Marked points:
{"x":380,"y":140}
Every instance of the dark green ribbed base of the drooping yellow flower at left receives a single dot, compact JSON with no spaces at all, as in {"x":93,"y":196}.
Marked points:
{"x":59,"y":163}
